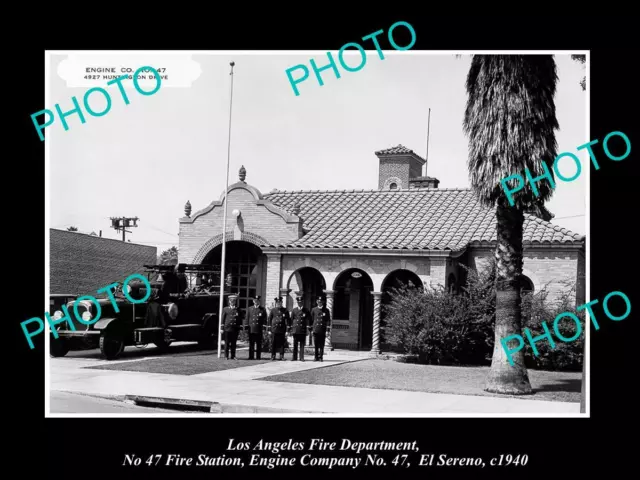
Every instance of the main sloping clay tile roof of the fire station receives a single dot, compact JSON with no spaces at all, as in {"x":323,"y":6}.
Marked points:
{"x":434,"y":219}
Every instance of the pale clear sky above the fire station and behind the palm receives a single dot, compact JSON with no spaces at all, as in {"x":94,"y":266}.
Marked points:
{"x":149,"y":157}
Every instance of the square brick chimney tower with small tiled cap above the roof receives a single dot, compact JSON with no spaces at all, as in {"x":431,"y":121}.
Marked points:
{"x":398,"y":165}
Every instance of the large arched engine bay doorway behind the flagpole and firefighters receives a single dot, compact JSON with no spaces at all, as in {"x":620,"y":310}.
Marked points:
{"x":244,"y":264}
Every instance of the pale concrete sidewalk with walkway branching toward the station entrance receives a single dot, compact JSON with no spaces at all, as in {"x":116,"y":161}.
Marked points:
{"x":241,"y":387}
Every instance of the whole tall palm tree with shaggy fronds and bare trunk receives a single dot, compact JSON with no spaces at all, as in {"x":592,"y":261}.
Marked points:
{"x":510,"y":120}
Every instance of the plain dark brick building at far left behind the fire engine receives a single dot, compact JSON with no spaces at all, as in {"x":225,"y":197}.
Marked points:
{"x":82,"y":263}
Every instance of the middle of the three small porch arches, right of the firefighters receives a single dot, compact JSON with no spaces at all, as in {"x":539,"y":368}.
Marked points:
{"x":353,"y":308}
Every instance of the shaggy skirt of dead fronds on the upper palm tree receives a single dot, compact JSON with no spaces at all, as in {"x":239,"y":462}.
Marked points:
{"x":510,"y":120}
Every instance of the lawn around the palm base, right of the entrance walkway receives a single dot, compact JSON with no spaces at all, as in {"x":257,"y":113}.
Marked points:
{"x":390,"y":375}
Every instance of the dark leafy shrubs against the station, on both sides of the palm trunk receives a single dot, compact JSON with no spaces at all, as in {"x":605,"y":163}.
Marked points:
{"x":458,"y":329}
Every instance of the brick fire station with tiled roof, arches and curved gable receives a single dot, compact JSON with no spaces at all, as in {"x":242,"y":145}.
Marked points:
{"x":354,"y":245}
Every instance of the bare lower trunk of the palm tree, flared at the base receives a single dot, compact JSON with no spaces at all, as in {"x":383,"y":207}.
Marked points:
{"x":503,"y":377}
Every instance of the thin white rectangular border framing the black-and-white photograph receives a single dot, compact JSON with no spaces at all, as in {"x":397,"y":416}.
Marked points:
{"x":47,"y":143}
